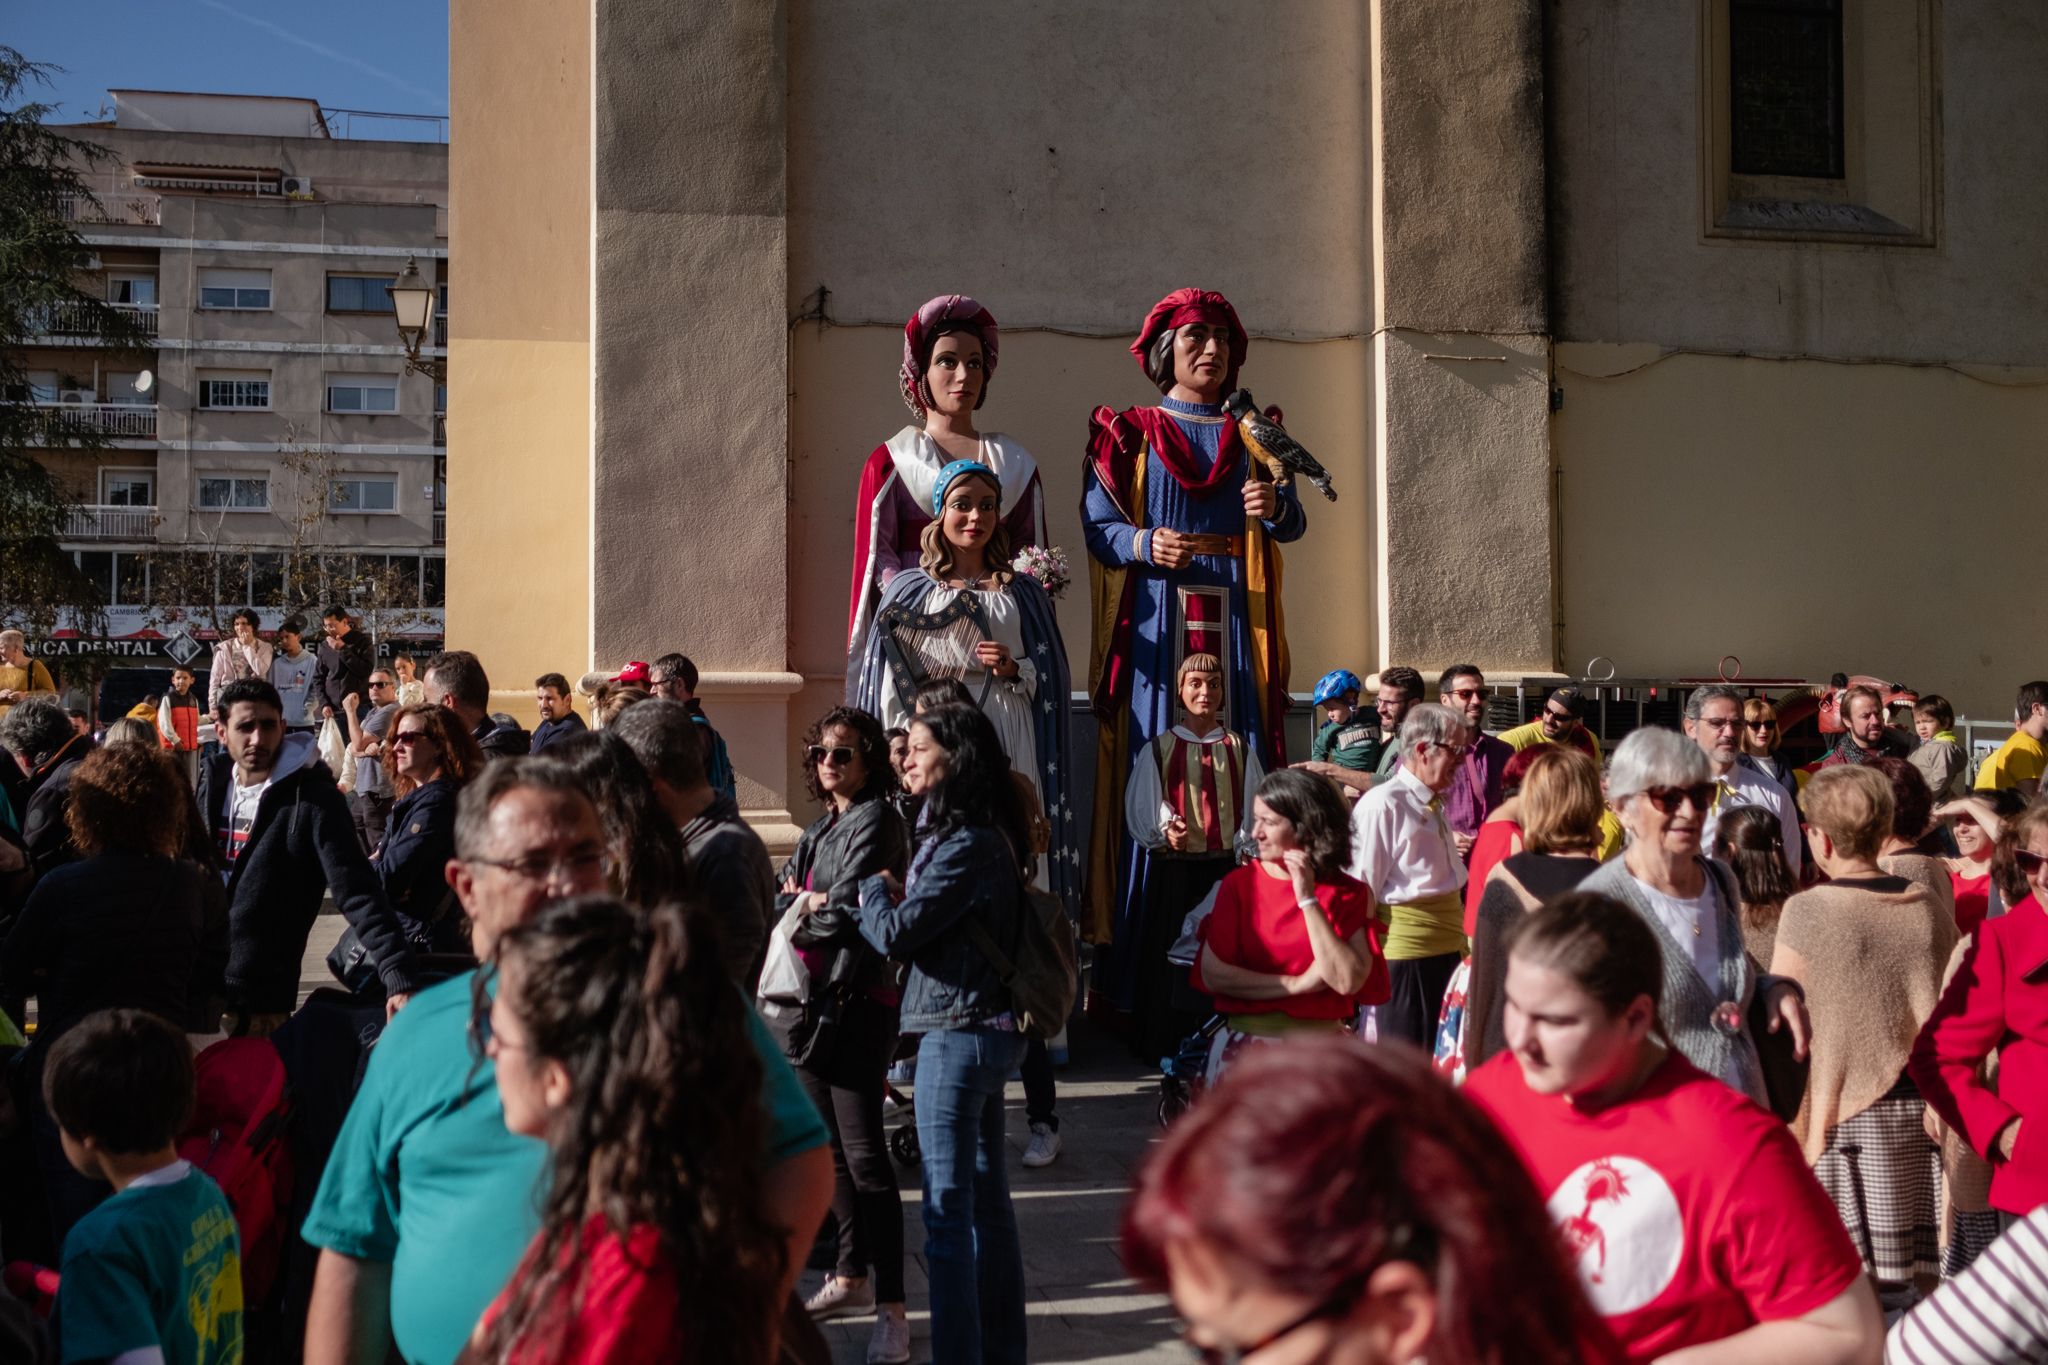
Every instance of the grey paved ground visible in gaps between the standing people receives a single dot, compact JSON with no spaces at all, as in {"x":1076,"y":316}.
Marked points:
{"x":1082,"y":1309}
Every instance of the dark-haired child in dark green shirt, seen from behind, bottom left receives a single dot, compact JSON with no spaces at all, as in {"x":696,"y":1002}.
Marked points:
{"x":159,"y":1266}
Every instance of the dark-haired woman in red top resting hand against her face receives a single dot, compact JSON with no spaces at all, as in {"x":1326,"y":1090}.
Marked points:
{"x":1291,"y":942}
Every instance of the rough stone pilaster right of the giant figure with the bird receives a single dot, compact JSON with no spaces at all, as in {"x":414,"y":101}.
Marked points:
{"x":1463,"y":351}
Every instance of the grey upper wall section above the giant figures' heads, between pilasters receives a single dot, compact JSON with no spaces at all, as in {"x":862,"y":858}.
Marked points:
{"x":1070,"y":163}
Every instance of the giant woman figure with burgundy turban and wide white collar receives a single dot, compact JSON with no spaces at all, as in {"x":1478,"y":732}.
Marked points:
{"x":949,"y":357}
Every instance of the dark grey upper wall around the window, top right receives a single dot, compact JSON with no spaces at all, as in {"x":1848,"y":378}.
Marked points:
{"x":1633,"y":263}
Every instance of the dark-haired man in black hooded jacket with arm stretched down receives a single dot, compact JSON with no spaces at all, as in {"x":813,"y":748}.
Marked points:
{"x":286,"y":840}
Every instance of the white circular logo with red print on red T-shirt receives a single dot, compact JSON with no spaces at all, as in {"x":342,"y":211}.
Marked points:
{"x":1623,"y":1229}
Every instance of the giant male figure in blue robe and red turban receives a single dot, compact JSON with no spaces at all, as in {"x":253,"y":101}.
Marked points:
{"x":1183,"y":539}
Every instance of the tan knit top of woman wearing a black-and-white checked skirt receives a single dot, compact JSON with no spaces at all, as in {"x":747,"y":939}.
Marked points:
{"x":1871,"y":963}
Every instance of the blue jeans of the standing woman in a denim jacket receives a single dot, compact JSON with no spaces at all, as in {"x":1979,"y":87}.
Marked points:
{"x":970,"y":1231}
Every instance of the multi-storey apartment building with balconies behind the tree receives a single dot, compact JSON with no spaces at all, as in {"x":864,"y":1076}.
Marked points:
{"x":271,"y":427}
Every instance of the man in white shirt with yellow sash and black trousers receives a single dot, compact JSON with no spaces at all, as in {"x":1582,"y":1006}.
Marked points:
{"x":1404,"y":850}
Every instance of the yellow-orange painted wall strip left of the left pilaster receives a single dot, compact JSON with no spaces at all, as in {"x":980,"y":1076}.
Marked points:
{"x":519,"y":343}
